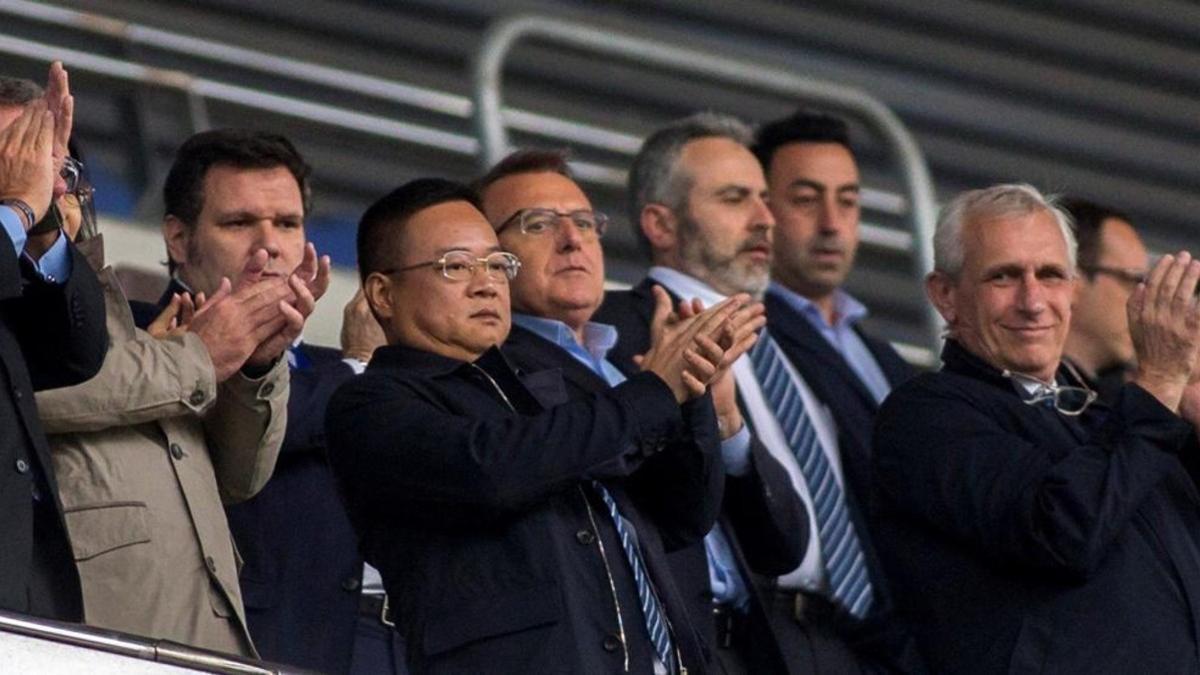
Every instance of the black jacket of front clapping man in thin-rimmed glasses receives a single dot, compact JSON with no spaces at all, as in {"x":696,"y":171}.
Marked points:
{"x":470,"y":488}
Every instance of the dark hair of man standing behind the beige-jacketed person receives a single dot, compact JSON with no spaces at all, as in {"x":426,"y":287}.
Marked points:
{"x":239,"y":148}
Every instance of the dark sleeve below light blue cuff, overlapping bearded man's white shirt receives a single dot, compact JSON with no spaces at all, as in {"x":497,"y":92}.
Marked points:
{"x":767,"y":516}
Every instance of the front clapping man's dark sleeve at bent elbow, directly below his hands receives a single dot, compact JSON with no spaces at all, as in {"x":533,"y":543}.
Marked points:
{"x":681,"y":488}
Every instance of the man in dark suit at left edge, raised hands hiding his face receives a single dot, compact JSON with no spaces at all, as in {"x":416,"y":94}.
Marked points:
{"x":52,"y":334}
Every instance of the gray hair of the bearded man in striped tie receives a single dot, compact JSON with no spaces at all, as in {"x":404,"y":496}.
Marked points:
{"x":656,"y":178}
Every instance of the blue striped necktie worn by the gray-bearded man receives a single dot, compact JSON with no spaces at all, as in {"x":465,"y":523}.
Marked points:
{"x":849,"y":581}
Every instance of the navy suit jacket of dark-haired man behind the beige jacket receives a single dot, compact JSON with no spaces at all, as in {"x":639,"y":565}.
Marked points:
{"x":302,"y":569}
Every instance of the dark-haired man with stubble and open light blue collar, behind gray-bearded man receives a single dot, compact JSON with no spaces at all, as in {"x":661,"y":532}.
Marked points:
{"x":813,"y":187}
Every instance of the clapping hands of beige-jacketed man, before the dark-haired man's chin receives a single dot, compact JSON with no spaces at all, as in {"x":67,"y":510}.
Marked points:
{"x":251,"y":321}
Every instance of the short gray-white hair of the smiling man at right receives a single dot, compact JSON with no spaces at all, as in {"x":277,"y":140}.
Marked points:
{"x":991,"y":204}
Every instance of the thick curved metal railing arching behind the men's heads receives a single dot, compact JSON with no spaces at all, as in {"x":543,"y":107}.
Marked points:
{"x":505,"y":34}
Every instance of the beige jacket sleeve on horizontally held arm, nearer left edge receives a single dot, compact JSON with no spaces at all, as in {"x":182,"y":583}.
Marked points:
{"x":142,"y":380}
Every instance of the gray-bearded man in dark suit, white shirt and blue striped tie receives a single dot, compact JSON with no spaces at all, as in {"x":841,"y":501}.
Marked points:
{"x":698,"y":198}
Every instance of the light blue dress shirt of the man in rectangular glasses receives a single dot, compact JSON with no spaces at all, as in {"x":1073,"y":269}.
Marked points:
{"x":727,"y":582}
